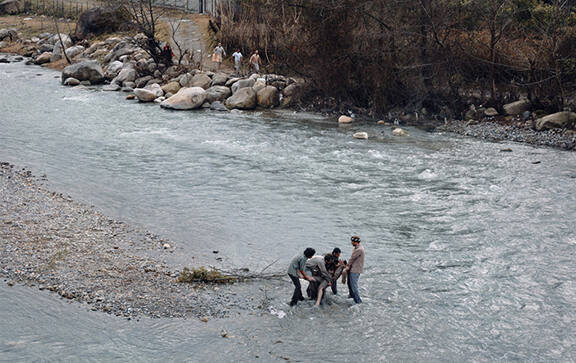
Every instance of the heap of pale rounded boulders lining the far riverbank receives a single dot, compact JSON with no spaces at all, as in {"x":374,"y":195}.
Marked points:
{"x":122,"y":64}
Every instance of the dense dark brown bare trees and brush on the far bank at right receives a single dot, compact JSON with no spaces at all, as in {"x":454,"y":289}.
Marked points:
{"x":415,"y":53}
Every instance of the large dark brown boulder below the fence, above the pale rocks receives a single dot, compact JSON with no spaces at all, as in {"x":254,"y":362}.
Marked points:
{"x":103,"y":20}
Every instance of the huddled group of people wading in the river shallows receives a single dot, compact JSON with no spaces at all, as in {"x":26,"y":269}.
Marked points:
{"x":323,"y":271}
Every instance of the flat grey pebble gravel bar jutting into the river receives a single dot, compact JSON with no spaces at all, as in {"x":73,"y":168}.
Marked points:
{"x":54,"y":243}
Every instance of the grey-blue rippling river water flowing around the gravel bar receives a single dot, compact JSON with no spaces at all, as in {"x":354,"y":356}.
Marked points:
{"x":470,"y":251}
